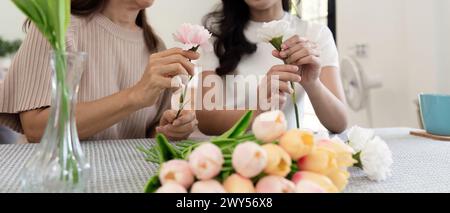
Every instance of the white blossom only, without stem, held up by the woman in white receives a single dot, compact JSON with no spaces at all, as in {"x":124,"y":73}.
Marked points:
{"x":275,"y":30}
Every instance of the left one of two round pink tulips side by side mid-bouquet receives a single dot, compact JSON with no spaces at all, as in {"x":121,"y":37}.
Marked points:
{"x":206,"y":161}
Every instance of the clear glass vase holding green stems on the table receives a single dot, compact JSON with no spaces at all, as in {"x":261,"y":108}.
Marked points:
{"x":58,"y":165}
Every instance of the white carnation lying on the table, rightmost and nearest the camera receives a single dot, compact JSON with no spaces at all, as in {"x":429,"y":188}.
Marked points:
{"x":376,"y":159}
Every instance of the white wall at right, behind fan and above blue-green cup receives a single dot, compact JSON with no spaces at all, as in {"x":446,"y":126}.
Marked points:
{"x":408,"y":46}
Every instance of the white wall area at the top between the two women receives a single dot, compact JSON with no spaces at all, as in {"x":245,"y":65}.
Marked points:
{"x":167,"y":15}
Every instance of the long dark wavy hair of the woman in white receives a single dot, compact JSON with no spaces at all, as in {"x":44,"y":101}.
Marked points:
{"x":227,"y":24}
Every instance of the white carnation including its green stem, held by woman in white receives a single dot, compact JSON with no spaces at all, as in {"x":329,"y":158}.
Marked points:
{"x":275,"y":32}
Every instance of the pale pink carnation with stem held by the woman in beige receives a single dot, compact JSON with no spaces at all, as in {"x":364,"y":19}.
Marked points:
{"x":192,"y":37}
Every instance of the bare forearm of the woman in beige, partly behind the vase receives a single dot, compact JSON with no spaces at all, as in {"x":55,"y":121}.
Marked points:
{"x":91,"y":117}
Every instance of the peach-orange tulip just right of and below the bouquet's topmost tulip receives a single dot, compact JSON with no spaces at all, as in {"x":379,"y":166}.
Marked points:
{"x":297,"y":143}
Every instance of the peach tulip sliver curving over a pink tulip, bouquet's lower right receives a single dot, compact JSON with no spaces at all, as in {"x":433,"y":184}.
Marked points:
{"x":321,"y":180}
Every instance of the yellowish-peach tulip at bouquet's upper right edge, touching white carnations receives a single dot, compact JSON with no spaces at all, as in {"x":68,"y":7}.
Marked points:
{"x":344,"y":153}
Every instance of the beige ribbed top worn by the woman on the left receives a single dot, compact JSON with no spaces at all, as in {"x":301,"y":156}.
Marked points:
{"x":117,"y":59}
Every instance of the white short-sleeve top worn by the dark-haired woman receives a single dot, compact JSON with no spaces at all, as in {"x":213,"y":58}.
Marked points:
{"x":260,"y":62}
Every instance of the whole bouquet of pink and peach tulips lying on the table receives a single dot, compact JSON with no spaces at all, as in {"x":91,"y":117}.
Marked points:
{"x":272,"y":160}
